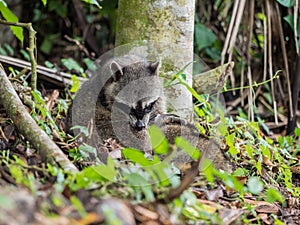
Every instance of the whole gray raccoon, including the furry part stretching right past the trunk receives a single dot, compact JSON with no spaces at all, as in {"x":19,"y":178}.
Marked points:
{"x":122,"y":99}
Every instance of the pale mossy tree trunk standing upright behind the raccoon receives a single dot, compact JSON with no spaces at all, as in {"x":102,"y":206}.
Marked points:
{"x":169,"y":25}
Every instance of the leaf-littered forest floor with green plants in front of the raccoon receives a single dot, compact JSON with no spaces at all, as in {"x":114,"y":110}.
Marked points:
{"x":264,"y":187}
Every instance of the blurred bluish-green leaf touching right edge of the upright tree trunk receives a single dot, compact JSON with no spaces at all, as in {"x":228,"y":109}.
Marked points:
{"x":204,"y":37}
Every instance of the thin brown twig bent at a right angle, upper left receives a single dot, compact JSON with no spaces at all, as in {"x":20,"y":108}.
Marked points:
{"x":31,"y":49}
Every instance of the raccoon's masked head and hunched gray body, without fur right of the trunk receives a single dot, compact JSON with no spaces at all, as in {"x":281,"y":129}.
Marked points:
{"x":120,"y":102}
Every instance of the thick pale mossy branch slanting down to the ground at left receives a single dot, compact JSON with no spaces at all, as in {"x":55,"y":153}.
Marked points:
{"x":48,"y":150}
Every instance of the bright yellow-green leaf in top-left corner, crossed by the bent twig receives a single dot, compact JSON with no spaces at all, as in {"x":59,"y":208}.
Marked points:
{"x":11,"y":17}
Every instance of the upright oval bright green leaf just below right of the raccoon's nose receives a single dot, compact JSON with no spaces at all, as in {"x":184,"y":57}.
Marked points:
{"x":158,"y":140}
